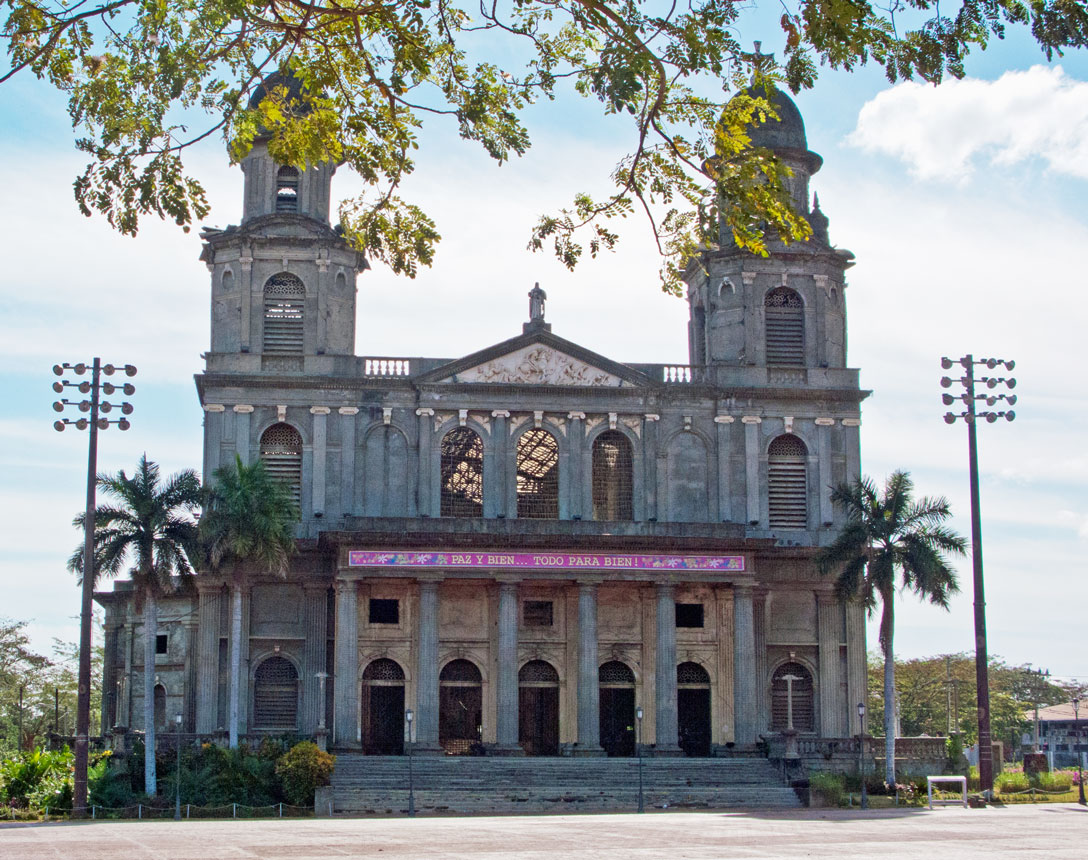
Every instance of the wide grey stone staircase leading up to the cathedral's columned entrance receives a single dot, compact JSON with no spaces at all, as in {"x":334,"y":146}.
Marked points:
{"x":372,"y":785}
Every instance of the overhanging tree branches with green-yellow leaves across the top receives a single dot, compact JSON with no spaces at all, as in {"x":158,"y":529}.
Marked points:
{"x":137,"y":71}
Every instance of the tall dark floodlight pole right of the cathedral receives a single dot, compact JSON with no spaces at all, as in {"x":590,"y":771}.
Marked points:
{"x":971,"y":416}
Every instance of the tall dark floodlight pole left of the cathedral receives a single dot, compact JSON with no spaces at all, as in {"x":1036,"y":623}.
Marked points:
{"x":94,"y":407}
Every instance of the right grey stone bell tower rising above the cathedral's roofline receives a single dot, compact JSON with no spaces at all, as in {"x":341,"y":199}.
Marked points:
{"x":782,"y":312}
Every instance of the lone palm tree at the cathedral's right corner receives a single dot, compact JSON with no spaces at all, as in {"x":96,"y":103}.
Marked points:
{"x":891,"y":542}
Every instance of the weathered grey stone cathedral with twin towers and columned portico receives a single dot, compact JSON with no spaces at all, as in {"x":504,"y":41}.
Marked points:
{"x":534,"y":549}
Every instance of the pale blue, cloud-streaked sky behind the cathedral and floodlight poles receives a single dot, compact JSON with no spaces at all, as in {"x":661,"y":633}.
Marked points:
{"x":962,"y":203}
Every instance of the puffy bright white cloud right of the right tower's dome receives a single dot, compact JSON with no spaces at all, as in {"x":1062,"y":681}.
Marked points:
{"x":945,"y":132}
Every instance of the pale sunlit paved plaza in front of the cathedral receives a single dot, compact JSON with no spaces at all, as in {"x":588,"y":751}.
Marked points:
{"x":1052,"y":831}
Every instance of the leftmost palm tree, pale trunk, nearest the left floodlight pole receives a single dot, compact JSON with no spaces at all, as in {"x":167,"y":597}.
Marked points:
{"x":151,"y":524}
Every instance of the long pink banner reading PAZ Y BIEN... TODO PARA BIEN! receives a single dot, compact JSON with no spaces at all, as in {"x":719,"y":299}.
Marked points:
{"x":543,"y":561}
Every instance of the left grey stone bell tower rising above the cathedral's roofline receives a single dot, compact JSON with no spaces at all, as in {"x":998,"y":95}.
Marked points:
{"x":283,"y":281}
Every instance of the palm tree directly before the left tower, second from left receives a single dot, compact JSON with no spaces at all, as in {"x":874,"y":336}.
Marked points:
{"x":249,"y":523}
